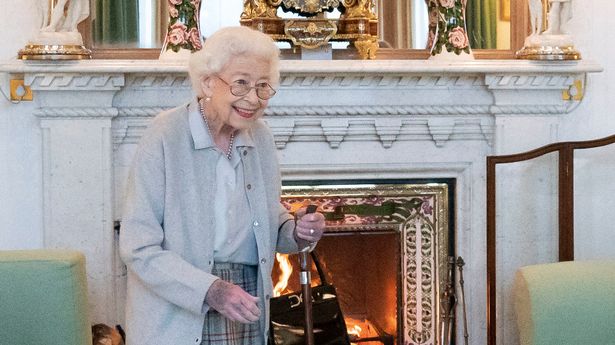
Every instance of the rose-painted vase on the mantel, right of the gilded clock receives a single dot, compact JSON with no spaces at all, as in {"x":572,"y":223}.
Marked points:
{"x":448,"y":37}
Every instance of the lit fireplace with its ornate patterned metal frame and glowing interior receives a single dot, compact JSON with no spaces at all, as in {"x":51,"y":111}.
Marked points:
{"x":385,"y":250}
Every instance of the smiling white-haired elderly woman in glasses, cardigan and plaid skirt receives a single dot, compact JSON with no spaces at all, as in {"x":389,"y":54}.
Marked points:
{"x":202,"y":217}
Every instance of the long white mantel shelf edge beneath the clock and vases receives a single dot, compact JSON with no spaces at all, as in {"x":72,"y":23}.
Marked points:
{"x":482,"y":66}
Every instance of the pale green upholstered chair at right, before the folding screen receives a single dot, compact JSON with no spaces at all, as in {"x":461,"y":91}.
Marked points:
{"x":566,"y":303}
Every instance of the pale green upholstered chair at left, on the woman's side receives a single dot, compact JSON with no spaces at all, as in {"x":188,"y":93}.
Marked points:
{"x":43,"y":298}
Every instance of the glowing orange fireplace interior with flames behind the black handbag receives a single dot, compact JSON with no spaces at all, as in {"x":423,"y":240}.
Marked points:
{"x":362,"y":267}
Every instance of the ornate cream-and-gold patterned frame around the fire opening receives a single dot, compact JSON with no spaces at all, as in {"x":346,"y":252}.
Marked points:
{"x":419,"y":214}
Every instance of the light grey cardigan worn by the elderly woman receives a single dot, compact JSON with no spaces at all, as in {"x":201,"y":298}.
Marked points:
{"x":166,"y":239}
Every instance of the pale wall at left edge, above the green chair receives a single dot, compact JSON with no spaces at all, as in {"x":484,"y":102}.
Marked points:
{"x":20,"y":155}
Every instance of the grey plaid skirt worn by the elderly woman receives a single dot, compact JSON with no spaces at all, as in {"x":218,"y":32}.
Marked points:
{"x":217,"y":329}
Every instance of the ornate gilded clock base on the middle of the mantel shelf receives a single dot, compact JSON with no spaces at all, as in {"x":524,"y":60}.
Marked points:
{"x":358,"y":22}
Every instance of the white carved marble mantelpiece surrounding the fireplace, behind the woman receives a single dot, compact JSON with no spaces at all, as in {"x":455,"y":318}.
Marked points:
{"x":331,"y":120}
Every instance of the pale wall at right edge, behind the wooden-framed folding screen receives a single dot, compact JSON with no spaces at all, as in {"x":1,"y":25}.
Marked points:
{"x":594,"y":118}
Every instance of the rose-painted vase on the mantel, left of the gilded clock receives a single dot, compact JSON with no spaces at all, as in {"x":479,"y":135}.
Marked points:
{"x":183,"y":34}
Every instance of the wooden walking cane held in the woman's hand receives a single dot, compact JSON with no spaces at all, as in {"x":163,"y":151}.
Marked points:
{"x":305,"y":279}
